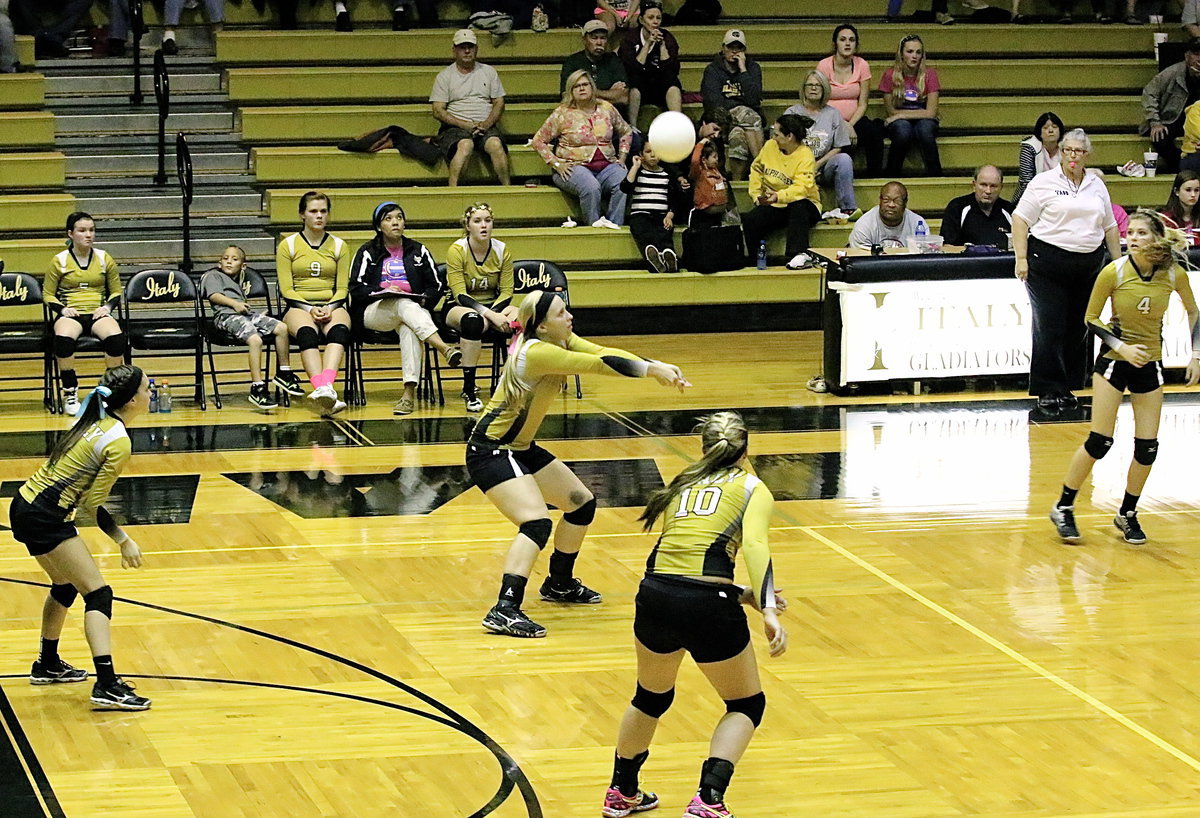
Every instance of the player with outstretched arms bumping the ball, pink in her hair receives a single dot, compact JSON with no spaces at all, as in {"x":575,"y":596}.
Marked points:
{"x":519,"y":477}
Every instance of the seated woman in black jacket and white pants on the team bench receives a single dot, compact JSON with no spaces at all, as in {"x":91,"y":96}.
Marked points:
{"x":393,"y":284}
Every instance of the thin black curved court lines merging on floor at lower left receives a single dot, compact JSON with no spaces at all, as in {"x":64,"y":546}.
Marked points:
{"x":513,"y":775}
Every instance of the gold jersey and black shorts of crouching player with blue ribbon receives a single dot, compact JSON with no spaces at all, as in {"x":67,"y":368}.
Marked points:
{"x":44,"y":513}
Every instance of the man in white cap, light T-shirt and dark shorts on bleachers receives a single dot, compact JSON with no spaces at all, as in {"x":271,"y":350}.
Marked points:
{"x":469,"y":100}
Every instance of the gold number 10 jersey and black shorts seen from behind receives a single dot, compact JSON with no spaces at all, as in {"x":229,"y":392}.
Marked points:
{"x":707,"y":525}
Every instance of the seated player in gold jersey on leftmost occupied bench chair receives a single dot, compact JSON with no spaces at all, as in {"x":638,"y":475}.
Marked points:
{"x":83,"y":291}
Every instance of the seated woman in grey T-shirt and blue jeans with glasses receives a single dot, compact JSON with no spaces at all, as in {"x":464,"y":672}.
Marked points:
{"x":827,"y":136}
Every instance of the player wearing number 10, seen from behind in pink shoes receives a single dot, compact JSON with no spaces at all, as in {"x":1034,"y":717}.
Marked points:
{"x":689,"y":604}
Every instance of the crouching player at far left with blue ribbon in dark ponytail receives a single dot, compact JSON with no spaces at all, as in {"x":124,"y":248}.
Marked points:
{"x":82,"y":468}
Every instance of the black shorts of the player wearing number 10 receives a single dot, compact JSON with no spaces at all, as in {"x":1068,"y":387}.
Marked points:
{"x":704,"y":618}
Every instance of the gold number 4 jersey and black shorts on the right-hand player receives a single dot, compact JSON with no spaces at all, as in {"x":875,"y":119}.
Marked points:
{"x":1139,"y":304}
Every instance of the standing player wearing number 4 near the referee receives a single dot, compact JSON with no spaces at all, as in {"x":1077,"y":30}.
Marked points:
{"x":1141,"y":286}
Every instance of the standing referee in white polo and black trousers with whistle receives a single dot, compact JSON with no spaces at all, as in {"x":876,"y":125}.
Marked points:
{"x":1060,"y":232}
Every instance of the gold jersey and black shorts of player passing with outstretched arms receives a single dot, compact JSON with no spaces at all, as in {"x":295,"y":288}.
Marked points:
{"x":502,"y":444}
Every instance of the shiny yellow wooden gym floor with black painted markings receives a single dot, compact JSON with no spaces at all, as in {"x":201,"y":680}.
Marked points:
{"x":308,"y":618}
